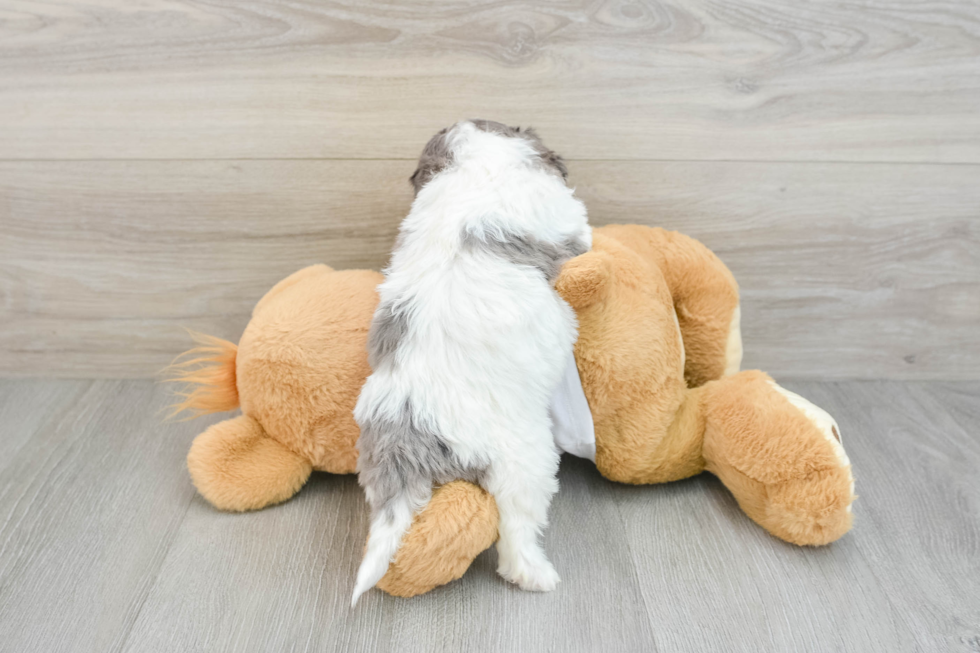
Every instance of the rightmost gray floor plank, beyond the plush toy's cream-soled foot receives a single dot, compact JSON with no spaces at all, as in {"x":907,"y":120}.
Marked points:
{"x":917,"y":443}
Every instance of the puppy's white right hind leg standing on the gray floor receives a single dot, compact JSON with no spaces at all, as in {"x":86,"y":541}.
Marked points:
{"x":523,"y":489}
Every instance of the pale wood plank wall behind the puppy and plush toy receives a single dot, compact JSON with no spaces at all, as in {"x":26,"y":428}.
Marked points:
{"x":163,"y":163}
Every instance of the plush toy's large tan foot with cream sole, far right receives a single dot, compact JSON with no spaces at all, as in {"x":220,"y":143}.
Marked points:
{"x":780,"y":456}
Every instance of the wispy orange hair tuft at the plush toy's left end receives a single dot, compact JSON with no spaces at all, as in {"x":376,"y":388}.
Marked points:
{"x":209,"y":371}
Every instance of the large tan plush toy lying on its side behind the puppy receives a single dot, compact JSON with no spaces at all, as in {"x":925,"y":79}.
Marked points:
{"x":658,"y":355}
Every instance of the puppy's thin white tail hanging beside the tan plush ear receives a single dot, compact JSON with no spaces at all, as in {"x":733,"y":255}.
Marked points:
{"x":388,"y":525}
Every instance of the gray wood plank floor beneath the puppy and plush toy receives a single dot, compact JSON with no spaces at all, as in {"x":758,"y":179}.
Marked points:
{"x":104,"y":546}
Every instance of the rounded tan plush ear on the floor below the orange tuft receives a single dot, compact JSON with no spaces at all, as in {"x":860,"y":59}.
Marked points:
{"x":236,"y":466}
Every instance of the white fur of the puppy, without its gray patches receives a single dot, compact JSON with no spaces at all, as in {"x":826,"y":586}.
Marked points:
{"x":487,"y":342}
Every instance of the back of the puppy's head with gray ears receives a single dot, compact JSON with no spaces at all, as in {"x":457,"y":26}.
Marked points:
{"x":461,"y":142}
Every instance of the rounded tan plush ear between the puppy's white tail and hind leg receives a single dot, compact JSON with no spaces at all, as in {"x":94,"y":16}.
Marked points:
{"x":458,"y":524}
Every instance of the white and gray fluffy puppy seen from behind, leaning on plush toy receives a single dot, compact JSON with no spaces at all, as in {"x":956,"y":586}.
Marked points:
{"x":469,"y":342}
